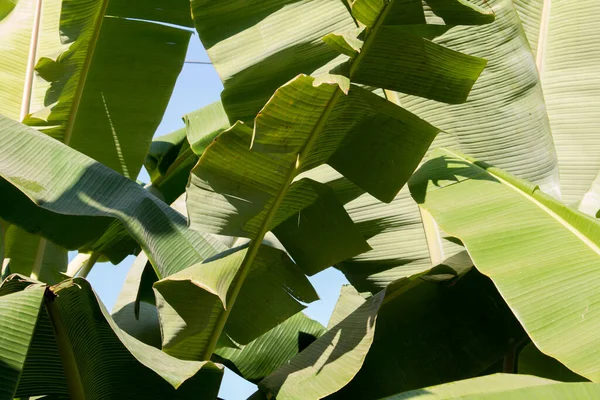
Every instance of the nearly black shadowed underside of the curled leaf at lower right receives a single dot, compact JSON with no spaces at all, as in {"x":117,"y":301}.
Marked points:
{"x":429,"y":333}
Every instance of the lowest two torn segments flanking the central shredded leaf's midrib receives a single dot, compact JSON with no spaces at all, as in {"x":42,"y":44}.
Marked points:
{"x":190,"y":303}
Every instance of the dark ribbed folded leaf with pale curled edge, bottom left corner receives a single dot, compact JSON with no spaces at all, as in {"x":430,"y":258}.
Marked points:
{"x":68,"y":344}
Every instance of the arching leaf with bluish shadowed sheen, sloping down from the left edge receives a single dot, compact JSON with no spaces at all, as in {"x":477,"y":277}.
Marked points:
{"x":71,"y":199}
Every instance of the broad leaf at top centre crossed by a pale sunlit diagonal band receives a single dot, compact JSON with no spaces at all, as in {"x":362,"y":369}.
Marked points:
{"x":255,"y":47}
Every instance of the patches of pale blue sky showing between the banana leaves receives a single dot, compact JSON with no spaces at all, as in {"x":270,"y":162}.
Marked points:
{"x":197,"y":86}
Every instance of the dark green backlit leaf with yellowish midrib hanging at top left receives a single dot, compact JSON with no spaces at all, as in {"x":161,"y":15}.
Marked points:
{"x":108,"y":110}
